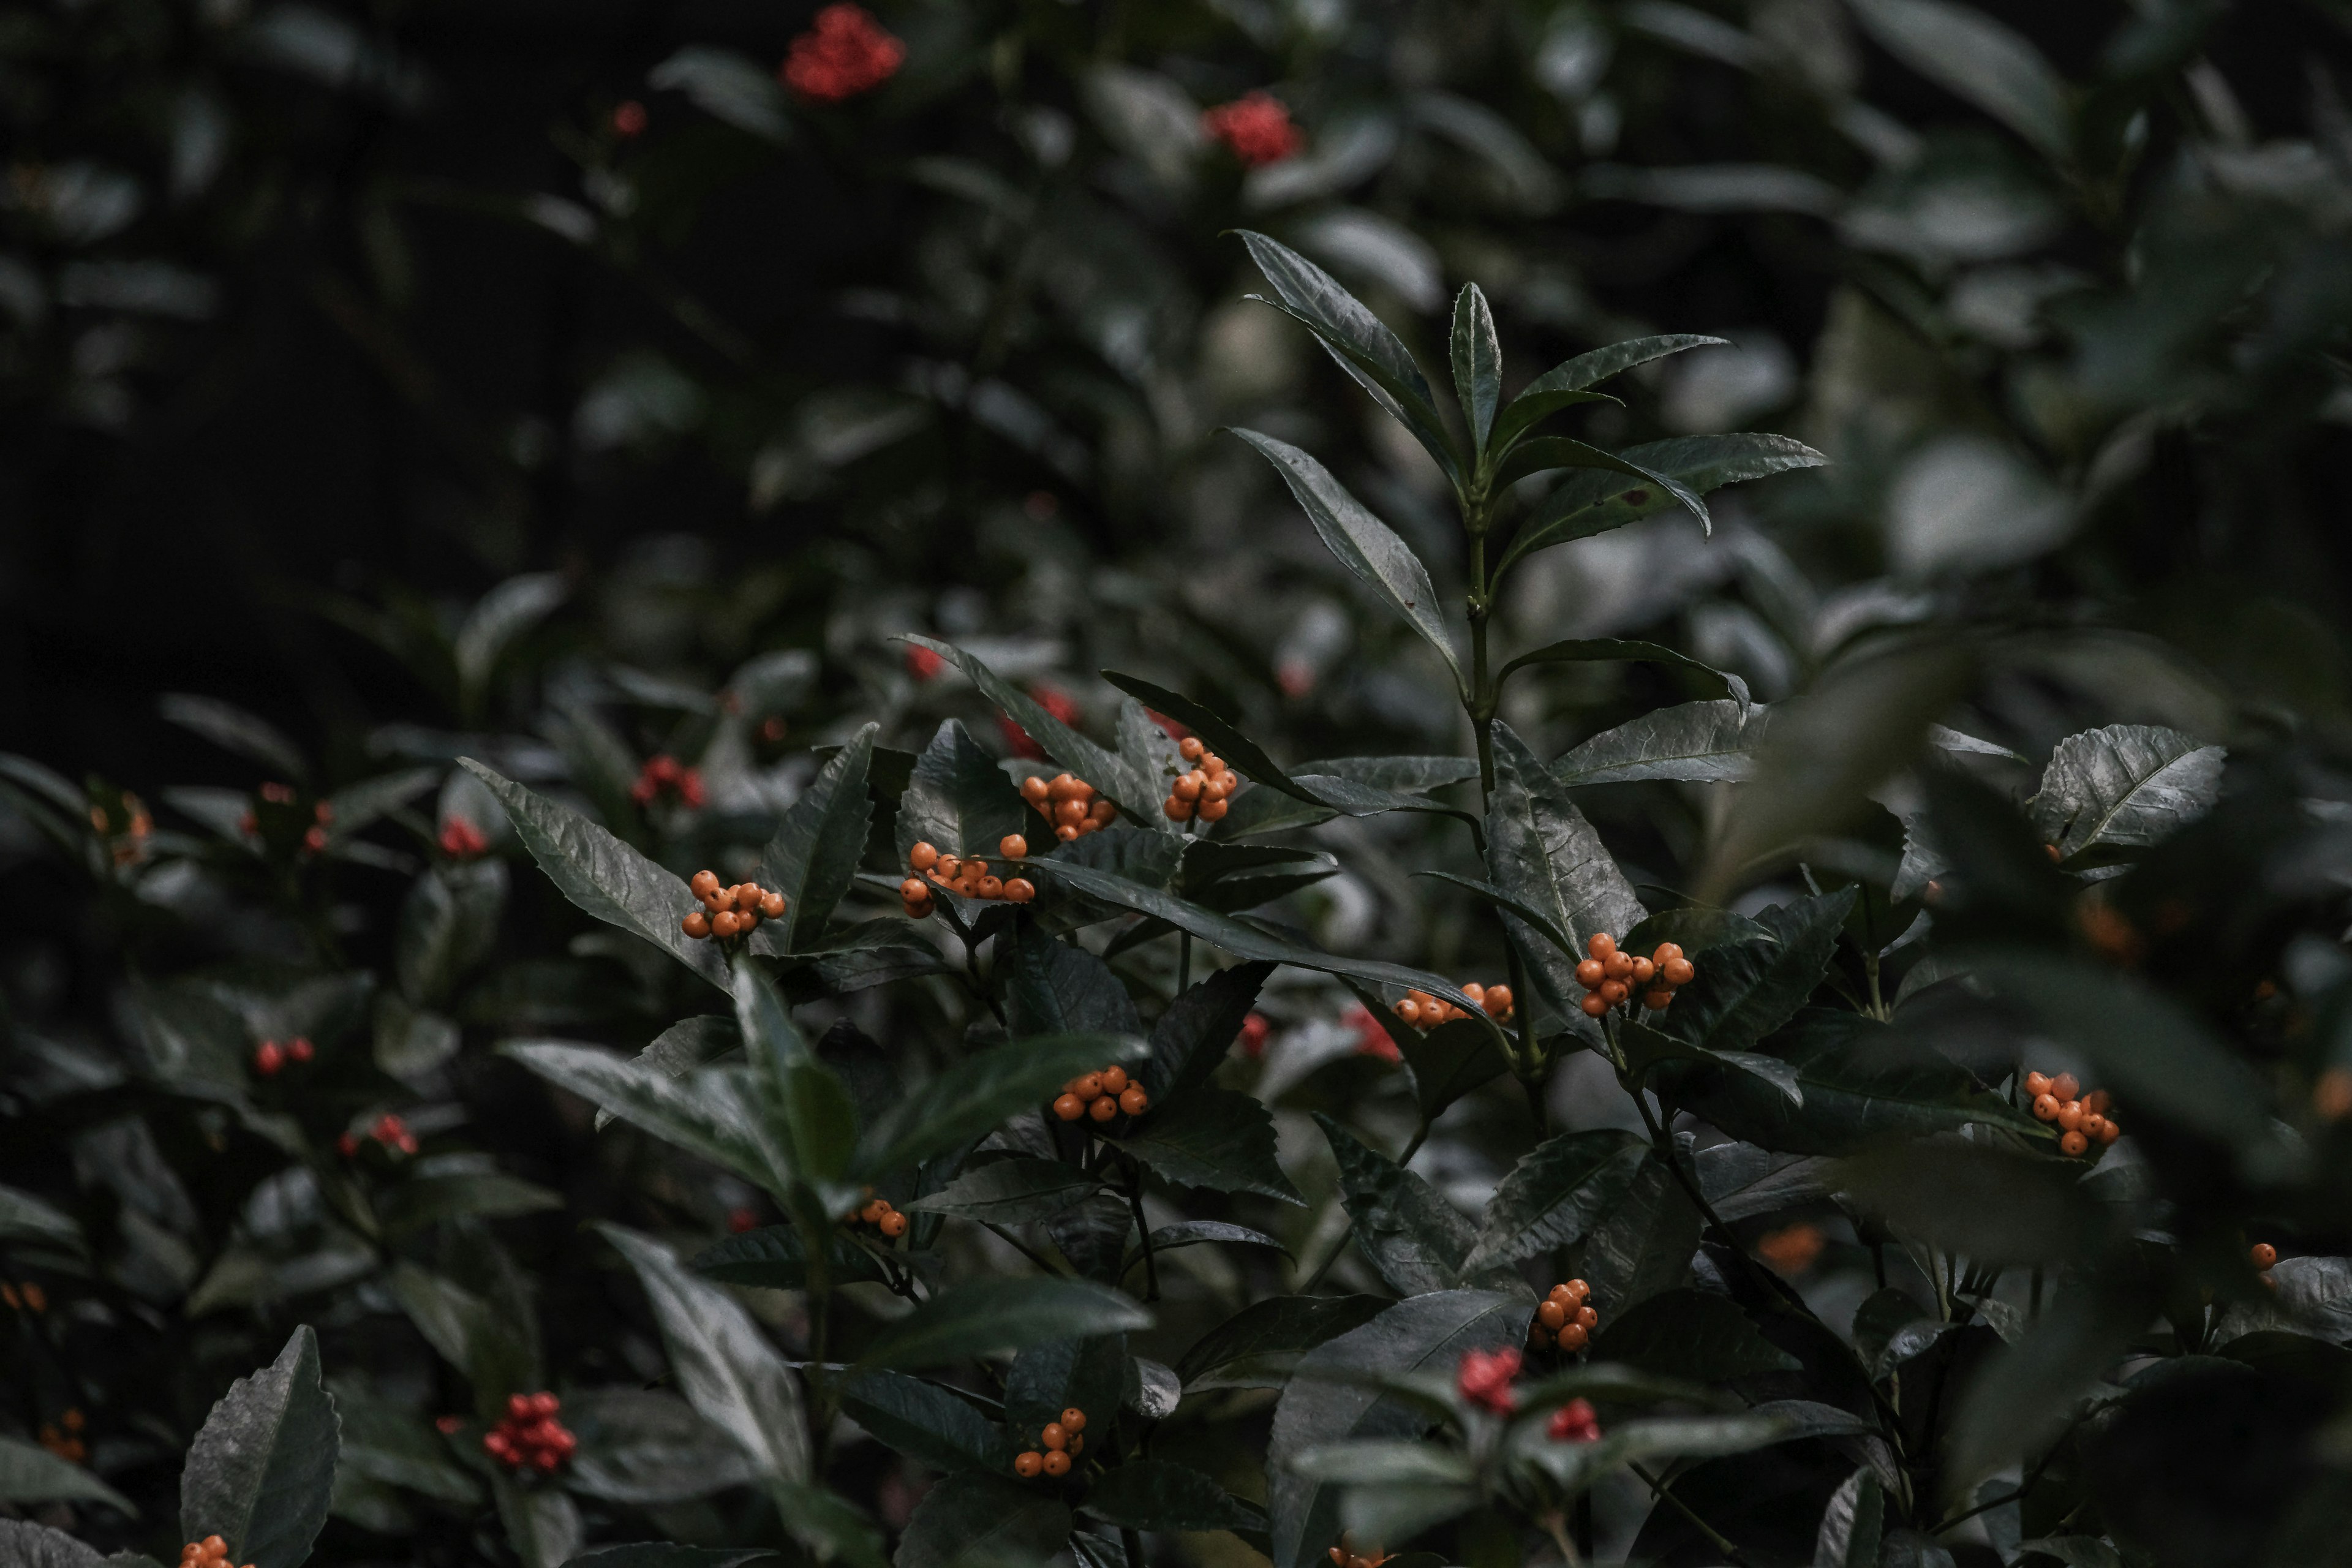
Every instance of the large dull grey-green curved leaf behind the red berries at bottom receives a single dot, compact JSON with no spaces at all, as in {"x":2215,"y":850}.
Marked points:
{"x":1426,"y":1334}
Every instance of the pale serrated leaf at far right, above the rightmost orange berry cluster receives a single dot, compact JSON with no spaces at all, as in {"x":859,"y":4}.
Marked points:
{"x":2125,"y":784}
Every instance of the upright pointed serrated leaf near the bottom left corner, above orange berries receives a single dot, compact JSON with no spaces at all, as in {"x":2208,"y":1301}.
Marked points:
{"x":262,"y":1468}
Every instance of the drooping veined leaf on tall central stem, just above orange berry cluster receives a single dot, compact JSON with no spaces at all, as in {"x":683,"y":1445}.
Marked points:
{"x":1546,"y":855}
